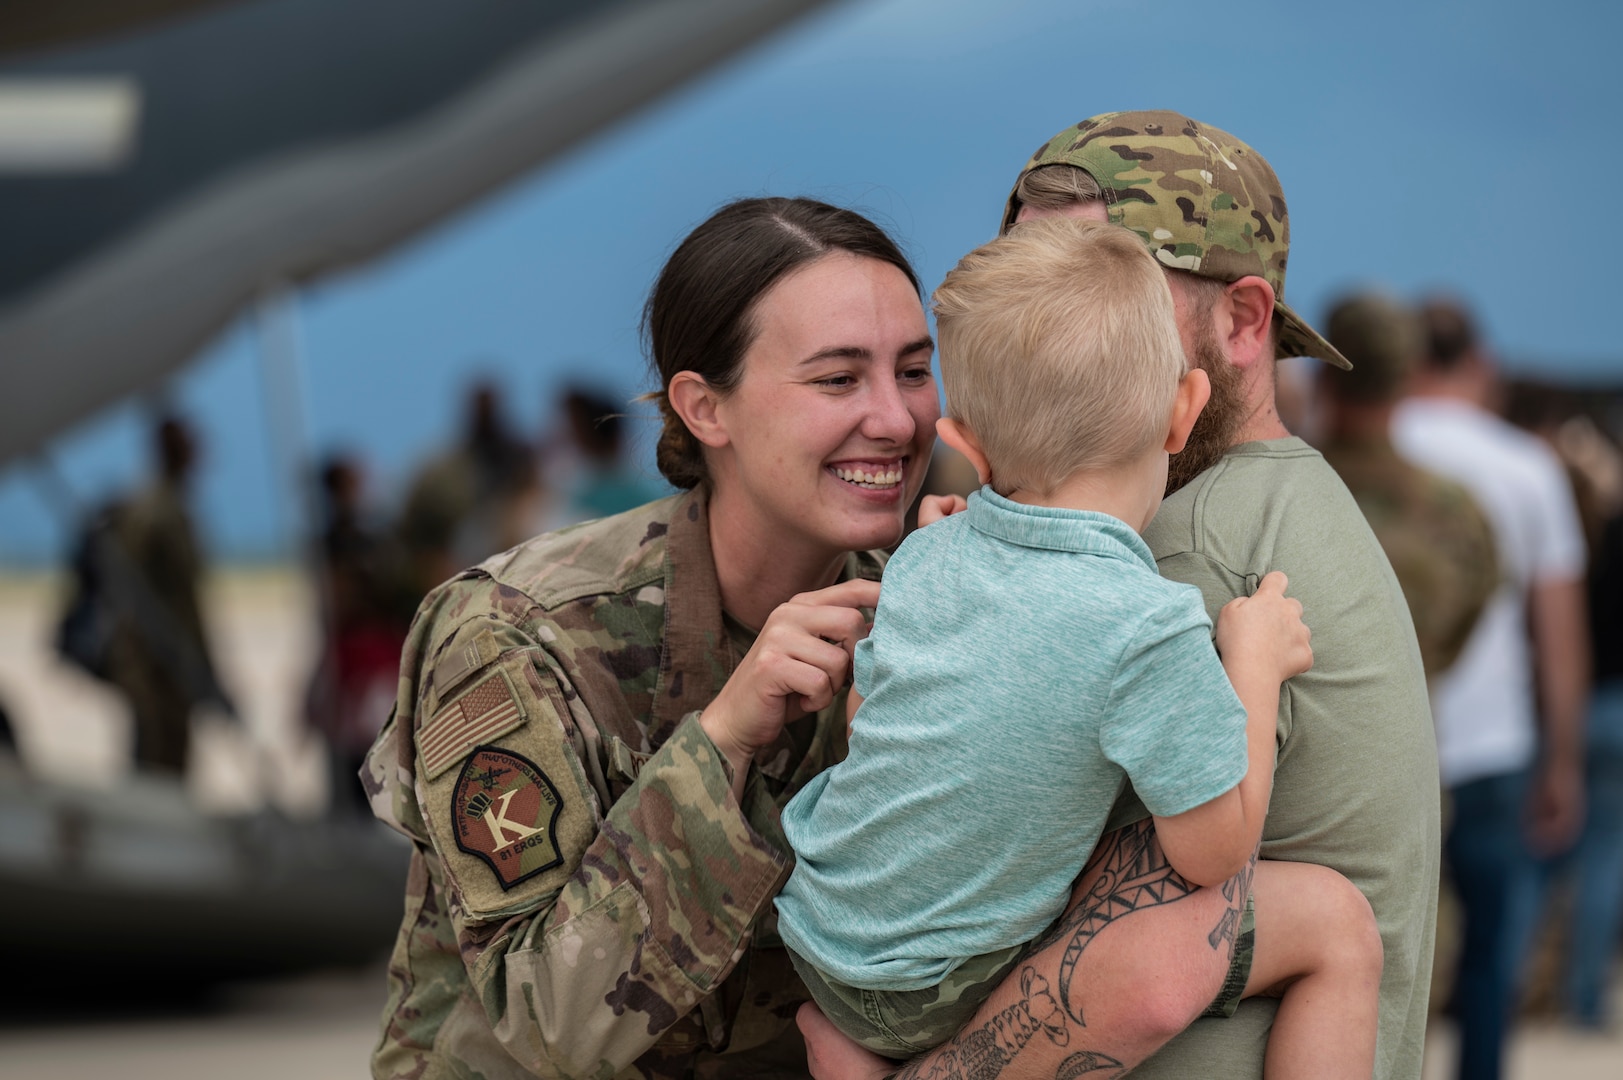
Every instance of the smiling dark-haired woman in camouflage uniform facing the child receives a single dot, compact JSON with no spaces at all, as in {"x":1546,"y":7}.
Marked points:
{"x":596,"y":730}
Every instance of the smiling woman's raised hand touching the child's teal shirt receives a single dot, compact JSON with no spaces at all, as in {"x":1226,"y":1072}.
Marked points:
{"x":798,"y":665}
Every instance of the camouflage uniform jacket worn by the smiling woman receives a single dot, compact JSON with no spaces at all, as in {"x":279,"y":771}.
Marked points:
{"x":587,"y":897}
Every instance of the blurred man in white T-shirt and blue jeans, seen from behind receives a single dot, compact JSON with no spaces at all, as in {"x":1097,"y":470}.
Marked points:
{"x":1510,"y":712}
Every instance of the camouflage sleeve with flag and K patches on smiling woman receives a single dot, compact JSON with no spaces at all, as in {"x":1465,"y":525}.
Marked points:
{"x":593,"y":894}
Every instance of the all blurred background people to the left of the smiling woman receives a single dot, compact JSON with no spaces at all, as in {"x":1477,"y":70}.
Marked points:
{"x":134,"y":616}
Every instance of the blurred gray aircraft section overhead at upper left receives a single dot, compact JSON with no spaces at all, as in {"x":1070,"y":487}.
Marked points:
{"x":210,"y":152}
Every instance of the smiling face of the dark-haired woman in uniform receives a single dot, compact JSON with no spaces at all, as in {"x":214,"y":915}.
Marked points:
{"x":830,"y":428}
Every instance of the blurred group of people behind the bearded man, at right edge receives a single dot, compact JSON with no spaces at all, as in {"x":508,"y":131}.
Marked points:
{"x":1500,"y":508}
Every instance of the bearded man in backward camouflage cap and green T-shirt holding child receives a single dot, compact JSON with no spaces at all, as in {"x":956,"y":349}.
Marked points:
{"x":1356,"y":784}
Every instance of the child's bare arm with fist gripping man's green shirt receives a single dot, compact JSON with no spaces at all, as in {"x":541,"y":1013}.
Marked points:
{"x":1264,"y":642}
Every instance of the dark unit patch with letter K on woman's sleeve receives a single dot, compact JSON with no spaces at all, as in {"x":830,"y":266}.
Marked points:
{"x":506,"y":811}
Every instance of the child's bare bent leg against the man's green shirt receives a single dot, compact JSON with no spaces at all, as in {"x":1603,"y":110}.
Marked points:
{"x":1317,"y":944}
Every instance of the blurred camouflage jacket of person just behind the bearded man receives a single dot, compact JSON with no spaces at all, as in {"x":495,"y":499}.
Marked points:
{"x":1436,"y":537}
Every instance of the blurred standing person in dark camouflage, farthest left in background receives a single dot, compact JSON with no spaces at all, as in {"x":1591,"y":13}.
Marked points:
{"x":158,"y":654}
